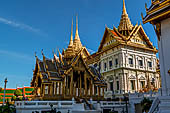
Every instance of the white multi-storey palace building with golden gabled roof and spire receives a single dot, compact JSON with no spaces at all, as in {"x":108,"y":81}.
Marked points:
{"x":127,"y":58}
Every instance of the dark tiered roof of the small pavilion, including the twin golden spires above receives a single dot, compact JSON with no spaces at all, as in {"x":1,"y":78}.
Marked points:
{"x":58,"y":67}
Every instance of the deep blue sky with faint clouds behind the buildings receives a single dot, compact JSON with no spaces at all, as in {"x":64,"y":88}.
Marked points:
{"x":28,"y":26}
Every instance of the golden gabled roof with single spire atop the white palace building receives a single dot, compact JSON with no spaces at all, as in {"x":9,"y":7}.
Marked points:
{"x":126,"y":34}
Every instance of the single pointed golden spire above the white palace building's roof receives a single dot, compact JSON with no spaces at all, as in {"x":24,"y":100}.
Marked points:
{"x":125,"y":24}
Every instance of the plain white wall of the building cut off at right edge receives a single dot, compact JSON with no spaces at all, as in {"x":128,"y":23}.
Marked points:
{"x":164,"y":55}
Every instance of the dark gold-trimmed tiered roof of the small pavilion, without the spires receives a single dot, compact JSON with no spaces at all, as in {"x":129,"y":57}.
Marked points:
{"x":56,"y":69}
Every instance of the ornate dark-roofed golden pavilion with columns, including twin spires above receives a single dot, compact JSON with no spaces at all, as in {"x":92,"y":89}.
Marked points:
{"x":67,"y":76}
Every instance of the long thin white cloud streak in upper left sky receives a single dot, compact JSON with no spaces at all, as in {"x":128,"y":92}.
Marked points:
{"x":22,"y":26}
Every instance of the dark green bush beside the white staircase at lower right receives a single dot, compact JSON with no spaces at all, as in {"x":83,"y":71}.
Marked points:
{"x":146,"y":104}
